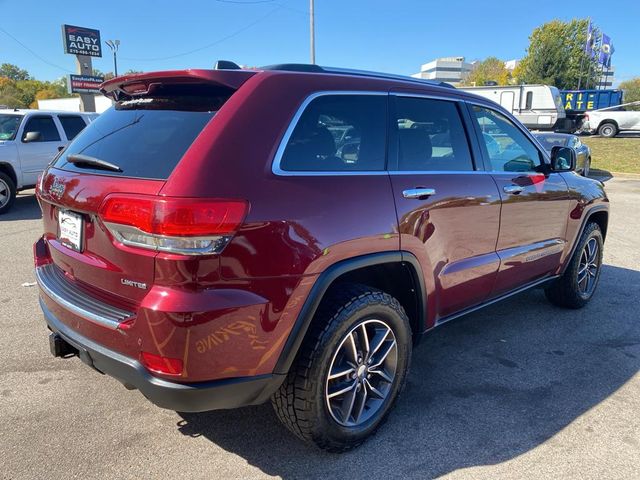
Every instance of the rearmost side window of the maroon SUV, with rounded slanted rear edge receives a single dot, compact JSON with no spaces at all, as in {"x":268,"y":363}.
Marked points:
{"x":338,"y":133}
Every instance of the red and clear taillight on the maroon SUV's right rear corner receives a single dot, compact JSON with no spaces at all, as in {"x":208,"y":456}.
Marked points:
{"x":186,"y":226}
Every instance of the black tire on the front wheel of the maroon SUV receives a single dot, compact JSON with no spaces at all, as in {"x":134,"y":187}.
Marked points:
{"x":567,"y":291}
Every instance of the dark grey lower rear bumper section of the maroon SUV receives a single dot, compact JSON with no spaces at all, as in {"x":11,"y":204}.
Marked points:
{"x":183,"y":397}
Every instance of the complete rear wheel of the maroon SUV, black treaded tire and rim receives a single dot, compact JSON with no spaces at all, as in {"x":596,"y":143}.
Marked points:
{"x":349,"y":371}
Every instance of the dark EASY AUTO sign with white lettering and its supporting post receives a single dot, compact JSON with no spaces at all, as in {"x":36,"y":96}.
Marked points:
{"x":84,"y":43}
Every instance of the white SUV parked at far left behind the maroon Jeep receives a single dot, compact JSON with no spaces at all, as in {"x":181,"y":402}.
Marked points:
{"x":29,"y":139}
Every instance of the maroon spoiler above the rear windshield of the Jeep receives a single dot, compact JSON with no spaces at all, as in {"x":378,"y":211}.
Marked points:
{"x":128,"y":86}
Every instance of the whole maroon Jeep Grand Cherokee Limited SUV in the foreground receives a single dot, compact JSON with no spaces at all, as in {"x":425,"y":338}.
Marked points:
{"x":219,"y":238}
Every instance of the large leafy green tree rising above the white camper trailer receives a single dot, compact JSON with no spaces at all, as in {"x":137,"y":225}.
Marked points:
{"x":556,"y":56}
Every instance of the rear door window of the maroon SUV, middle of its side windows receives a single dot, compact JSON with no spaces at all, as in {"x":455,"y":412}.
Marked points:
{"x":430,"y":136}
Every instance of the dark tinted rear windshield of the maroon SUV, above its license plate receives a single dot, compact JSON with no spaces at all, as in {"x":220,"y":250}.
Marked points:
{"x":146,"y":137}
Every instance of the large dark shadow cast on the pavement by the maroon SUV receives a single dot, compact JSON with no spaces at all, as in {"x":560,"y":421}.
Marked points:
{"x":482,"y":390}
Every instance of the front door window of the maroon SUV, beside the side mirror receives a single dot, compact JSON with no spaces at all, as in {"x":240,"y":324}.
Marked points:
{"x":507,"y":147}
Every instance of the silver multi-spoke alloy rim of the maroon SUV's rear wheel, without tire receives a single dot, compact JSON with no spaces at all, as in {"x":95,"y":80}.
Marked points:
{"x":362,"y":372}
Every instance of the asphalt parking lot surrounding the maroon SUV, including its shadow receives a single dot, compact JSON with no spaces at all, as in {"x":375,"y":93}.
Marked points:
{"x":519,"y":390}
